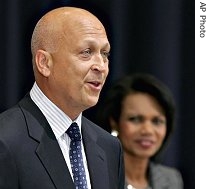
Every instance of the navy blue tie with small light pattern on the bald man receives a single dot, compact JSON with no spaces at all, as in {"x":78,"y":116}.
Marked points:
{"x":76,"y":159}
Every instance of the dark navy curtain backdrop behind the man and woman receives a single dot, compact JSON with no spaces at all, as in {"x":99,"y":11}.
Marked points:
{"x":156,"y":37}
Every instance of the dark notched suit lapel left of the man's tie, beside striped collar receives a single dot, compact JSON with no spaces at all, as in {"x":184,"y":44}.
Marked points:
{"x":48,"y":149}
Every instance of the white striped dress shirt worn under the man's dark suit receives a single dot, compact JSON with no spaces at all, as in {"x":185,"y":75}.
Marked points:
{"x":59,"y":123}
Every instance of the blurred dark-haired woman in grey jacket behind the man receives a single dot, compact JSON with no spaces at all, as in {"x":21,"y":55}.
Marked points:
{"x":140,"y":109}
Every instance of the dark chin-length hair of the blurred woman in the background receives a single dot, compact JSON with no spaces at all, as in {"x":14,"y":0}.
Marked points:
{"x":138,"y":82}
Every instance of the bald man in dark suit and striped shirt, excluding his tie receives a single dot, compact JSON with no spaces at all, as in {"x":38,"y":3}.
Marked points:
{"x":70,"y":61}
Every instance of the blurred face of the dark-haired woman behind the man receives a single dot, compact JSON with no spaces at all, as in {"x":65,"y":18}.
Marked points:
{"x":142,"y":125}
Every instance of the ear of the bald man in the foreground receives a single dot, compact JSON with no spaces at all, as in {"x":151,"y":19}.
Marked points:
{"x":43,"y":62}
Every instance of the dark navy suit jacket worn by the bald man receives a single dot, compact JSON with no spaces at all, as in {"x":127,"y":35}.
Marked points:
{"x":30,"y":157}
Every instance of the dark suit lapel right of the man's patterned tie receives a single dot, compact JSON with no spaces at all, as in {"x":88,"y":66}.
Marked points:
{"x":96,"y":158}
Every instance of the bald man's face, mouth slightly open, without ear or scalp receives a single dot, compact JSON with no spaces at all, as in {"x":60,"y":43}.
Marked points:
{"x":80,"y":66}
